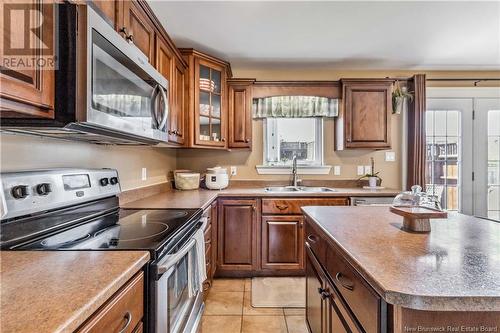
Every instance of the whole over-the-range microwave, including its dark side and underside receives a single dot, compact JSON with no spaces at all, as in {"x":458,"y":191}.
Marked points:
{"x":106,"y":90}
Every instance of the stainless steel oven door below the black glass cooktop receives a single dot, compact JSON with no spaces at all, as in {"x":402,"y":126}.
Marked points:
{"x":176,"y":311}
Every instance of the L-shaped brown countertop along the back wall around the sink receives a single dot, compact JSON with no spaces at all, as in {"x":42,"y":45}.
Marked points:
{"x":203,"y":198}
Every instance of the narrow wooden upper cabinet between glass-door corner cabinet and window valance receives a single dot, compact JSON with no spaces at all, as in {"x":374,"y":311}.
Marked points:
{"x":240,"y":112}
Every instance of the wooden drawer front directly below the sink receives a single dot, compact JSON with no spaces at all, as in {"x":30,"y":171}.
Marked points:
{"x":292,"y":206}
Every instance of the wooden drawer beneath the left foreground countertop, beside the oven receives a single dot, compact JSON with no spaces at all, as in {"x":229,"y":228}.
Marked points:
{"x":124,"y":309}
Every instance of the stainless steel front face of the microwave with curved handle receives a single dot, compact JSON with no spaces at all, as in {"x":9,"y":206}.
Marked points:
{"x":124,"y":92}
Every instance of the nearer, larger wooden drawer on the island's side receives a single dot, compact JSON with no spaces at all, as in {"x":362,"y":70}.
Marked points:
{"x":363,"y":302}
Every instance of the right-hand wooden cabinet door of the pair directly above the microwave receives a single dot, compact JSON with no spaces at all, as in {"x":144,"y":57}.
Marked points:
{"x":138,"y":28}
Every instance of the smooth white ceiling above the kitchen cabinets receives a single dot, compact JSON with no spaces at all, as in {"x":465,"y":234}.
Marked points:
{"x":348,"y":35}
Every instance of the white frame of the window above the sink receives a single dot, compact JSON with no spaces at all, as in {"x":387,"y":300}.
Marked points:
{"x":270,"y":127}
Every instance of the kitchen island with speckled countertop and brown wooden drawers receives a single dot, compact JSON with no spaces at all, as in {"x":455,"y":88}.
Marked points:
{"x":365,"y":273}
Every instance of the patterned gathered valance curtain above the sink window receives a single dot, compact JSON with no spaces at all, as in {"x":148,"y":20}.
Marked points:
{"x":295,"y":107}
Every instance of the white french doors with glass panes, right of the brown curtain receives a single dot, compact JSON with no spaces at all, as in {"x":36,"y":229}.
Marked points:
{"x":463,"y":151}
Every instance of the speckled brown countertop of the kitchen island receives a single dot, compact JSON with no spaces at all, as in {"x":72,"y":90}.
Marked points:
{"x":455,"y":267}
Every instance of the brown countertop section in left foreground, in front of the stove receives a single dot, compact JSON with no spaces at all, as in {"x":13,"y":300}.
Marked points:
{"x":56,"y":291}
